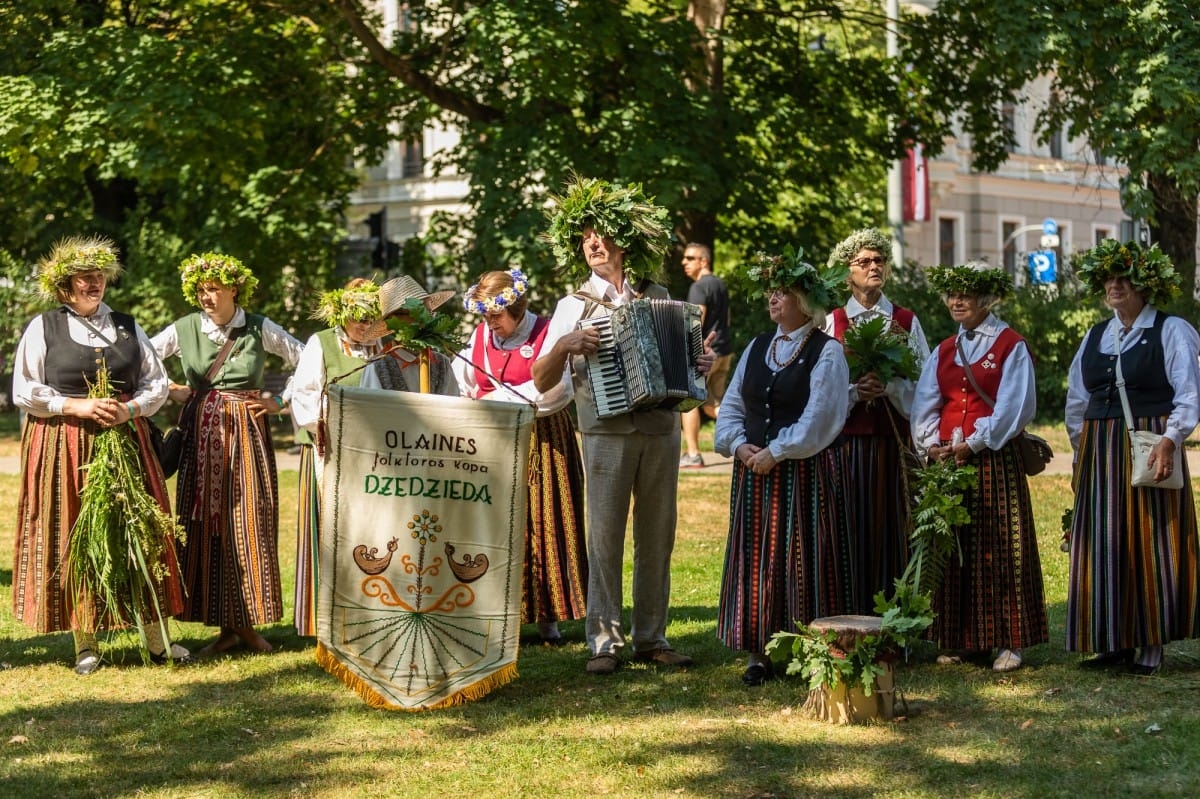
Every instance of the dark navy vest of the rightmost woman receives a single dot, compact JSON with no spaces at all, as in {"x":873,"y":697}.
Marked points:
{"x":1144,"y":367}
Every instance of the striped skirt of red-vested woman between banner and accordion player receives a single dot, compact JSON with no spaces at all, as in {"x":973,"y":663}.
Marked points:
{"x":556,"y":570}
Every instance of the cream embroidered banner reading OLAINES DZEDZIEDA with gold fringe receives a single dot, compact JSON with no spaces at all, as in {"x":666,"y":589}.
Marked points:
{"x":422,"y":545}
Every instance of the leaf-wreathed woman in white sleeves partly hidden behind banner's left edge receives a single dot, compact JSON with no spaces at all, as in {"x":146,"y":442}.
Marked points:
{"x":357,"y":334}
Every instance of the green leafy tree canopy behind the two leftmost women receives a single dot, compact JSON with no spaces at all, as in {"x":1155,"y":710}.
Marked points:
{"x":179,"y":128}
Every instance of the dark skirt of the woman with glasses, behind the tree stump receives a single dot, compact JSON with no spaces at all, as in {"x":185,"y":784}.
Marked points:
{"x":874,"y":504}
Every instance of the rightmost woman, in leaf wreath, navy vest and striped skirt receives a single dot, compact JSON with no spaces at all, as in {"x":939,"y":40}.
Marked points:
{"x":1133,"y":550}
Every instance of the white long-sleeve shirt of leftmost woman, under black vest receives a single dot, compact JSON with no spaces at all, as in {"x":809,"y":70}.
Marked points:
{"x":37,"y":398}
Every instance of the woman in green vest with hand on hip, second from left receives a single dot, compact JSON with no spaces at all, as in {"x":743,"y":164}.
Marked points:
{"x":227,"y":492}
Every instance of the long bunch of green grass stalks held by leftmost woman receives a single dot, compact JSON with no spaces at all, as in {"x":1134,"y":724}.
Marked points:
{"x":116,"y":561}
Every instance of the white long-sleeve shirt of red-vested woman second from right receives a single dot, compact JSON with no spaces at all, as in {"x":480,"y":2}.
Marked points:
{"x":1017,"y":401}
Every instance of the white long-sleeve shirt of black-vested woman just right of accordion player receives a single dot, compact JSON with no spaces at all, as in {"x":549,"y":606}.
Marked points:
{"x":823,"y":419}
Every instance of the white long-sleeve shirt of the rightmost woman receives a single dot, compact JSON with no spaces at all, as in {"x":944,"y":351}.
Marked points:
{"x":1181,"y":347}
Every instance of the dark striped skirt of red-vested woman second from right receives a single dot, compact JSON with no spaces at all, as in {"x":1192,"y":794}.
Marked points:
{"x":992,"y":597}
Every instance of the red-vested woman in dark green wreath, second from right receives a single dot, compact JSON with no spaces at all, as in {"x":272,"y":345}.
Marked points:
{"x":991,"y":598}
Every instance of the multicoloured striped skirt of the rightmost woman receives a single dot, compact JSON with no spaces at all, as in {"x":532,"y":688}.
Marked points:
{"x":1133,"y":551}
